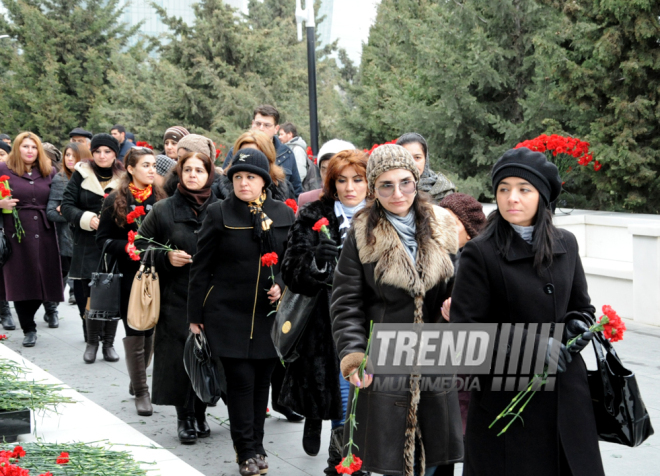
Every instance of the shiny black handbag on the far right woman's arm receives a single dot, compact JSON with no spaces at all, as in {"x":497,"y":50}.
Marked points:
{"x":621,"y":416}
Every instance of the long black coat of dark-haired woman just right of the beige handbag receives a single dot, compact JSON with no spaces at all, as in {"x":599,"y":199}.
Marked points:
{"x":172,"y":221}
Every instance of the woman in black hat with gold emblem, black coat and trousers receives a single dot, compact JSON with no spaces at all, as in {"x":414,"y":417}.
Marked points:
{"x":232,"y":297}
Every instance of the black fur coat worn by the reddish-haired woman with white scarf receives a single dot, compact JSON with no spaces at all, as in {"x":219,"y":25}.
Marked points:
{"x":311,"y":382}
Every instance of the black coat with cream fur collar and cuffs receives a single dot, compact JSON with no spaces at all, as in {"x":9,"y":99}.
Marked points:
{"x":82,"y":200}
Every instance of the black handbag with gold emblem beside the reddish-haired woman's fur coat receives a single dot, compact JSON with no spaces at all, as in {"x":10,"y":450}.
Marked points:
{"x":293,"y":313}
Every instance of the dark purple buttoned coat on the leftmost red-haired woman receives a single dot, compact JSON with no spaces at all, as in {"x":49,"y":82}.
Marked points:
{"x":33,"y":270}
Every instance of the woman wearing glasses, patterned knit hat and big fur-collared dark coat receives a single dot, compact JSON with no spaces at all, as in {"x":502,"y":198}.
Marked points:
{"x":396,"y":267}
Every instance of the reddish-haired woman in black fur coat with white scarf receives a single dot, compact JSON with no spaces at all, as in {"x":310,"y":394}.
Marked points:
{"x":313,"y":385}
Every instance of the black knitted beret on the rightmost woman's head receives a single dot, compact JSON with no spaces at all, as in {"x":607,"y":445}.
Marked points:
{"x":531,"y":166}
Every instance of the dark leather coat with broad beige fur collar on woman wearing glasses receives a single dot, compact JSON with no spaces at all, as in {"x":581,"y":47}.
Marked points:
{"x":379,"y":282}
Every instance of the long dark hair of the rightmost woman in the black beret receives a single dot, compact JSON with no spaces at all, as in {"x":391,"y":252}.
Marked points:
{"x":543,"y":239}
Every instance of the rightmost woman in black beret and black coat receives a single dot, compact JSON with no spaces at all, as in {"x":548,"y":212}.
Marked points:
{"x":524,"y":270}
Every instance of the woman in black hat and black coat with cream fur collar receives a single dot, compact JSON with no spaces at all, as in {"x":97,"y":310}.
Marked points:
{"x":81,"y":206}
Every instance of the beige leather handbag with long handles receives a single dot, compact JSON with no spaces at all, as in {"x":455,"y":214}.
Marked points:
{"x":144,"y":303}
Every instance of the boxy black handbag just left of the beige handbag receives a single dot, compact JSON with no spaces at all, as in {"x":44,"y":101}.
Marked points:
{"x":105,"y":292}
